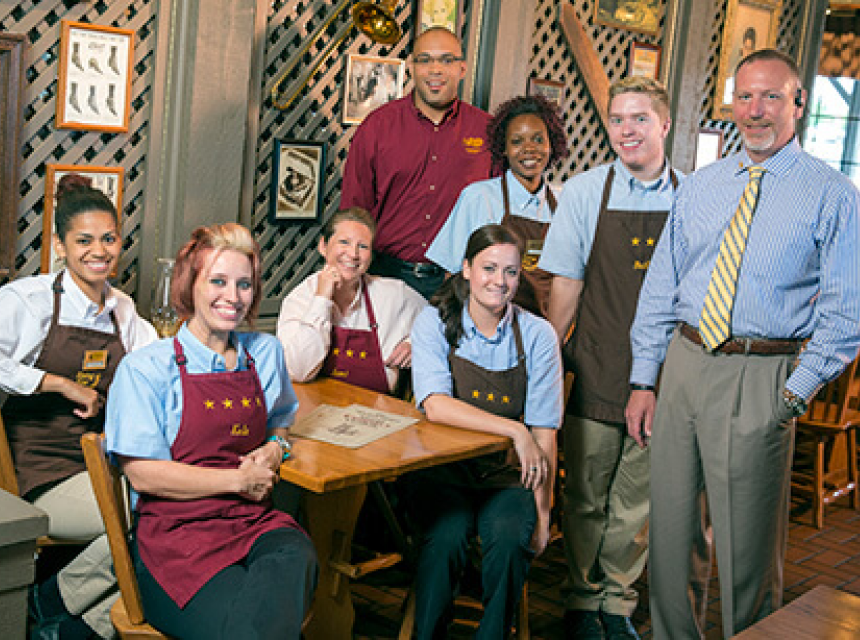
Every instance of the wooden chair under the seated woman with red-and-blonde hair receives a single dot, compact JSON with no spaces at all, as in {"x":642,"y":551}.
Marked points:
{"x":127,"y":614}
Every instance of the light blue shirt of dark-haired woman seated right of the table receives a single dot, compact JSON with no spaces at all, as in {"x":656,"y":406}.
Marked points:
{"x":431,"y":373}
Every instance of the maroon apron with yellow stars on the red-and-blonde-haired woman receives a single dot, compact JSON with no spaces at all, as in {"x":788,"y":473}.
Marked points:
{"x":184,"y":543}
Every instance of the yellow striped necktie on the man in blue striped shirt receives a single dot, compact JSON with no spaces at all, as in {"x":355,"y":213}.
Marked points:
{"x":716,"y":320}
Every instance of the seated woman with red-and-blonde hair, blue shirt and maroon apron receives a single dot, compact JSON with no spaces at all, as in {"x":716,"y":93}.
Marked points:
{"x":198,"y":424}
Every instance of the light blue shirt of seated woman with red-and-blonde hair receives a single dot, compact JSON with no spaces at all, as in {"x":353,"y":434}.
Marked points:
{"x":144,"y":407}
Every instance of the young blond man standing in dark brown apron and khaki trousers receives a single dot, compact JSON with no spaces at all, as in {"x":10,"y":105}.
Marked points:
{"x":599,"y":247}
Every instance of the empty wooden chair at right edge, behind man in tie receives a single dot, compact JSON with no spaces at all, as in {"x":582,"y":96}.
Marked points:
{"x":830,"y":417}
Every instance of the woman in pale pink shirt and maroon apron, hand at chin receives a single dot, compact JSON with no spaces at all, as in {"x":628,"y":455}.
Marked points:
{"x":343,"y":323}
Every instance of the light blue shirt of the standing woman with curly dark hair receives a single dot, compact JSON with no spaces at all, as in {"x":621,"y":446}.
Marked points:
{"x":479,"y":204}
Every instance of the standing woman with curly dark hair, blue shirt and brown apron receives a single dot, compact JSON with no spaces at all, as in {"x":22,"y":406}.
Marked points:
{"x":526,"y":135}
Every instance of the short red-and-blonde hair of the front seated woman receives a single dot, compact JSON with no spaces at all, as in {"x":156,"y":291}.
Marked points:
{"x":189,"y":263}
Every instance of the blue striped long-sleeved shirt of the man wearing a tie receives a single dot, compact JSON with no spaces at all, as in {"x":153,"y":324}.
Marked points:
{"x":800,"y":275}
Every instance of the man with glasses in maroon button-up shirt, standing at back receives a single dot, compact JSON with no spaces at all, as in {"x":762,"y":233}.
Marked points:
{"x":410,"y":159}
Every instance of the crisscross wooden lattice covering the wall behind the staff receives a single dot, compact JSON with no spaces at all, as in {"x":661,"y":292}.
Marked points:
{"x":289,"y":251}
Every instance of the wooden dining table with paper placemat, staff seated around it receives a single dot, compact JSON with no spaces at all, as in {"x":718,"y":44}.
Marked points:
{"x":336,"y":478}
